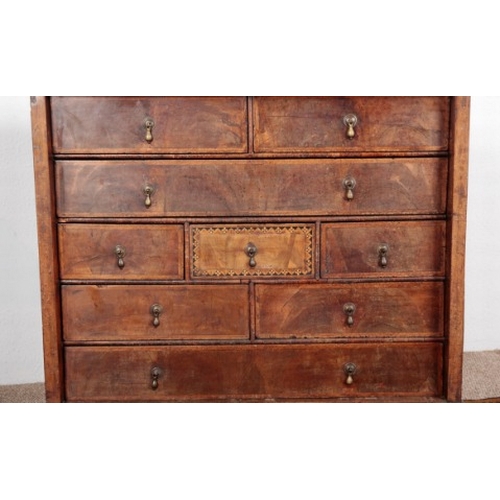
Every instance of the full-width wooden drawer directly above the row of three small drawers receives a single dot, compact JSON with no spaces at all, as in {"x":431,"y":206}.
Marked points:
{"x":256,"y":187}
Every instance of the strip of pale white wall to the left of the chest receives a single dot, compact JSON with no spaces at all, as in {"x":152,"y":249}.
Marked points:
{"x":20,"y":315}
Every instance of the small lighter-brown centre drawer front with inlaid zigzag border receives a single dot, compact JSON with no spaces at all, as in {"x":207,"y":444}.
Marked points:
{"x":227,"y":251}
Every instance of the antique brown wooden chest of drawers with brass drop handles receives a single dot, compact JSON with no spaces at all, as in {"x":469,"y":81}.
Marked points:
{"x":251,"y":249}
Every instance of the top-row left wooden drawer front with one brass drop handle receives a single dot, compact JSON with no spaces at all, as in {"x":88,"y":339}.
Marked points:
{"x":149,"y":124}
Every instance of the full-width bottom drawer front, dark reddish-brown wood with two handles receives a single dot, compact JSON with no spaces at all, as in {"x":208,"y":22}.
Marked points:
{"x":178,"y":373}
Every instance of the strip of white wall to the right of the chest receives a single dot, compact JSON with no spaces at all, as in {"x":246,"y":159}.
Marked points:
{"x":482,"y":283}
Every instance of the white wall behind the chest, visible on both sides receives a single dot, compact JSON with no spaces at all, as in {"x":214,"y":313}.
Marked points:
{"x":21,"y":358}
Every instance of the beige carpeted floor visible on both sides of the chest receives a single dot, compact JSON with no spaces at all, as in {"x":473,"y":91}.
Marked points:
{"x":481,"y":382}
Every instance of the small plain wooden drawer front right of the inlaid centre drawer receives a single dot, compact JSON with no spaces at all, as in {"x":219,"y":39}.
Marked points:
{"x":384,"y":249}
